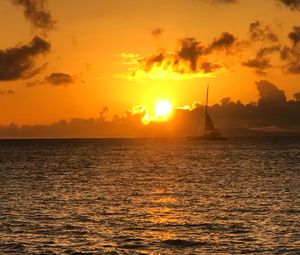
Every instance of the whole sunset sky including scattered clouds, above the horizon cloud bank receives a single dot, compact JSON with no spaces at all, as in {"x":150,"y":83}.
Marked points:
{"x":120,"y":54}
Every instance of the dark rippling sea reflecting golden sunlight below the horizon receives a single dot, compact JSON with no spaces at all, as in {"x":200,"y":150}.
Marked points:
{"x":241,"y":196}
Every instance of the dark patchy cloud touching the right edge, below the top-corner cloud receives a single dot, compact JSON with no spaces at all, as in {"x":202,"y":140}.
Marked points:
{"x":291,"y":55}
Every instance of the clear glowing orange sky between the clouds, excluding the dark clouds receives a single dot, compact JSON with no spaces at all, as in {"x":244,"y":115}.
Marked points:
{"x":90,"y":37}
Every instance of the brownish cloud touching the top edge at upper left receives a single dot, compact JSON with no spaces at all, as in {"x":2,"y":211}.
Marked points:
{"x":36,"y":12}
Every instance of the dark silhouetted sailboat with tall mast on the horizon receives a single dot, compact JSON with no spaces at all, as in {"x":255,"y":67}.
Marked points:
{"x":210,"y":132}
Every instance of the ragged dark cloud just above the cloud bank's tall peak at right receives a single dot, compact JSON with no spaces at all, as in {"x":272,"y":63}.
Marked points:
{"x":262,"y":61}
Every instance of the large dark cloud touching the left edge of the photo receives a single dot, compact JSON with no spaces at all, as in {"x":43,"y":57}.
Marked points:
{"x":19,"y":62}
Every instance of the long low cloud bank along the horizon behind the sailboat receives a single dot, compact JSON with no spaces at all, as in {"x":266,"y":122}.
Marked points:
{"x":272,"y":114}
